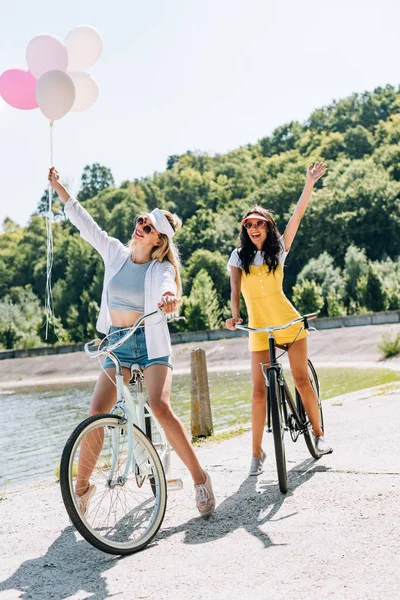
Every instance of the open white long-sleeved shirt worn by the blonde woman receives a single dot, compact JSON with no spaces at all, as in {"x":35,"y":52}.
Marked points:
{"x":160,"y":278}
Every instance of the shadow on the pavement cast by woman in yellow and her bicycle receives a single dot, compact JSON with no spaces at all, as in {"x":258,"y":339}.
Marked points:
{"x":256,"y":502}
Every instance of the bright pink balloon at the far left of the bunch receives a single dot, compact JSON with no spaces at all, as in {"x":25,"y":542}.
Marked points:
{"x":17,"y":88}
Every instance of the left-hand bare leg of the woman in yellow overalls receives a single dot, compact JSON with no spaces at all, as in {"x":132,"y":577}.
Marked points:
{"x":259,"y":404}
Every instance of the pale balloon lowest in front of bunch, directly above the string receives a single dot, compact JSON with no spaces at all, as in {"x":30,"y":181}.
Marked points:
{"x":55,"y":94}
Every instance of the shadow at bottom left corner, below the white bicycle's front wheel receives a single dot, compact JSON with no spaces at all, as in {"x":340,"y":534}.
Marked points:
{"x":68,"y":567}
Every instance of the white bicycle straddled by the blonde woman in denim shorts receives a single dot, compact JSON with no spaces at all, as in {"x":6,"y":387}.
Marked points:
{"x":129,"y":456}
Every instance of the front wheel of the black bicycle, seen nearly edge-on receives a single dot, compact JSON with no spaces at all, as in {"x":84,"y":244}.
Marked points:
{"x":277,"y":429}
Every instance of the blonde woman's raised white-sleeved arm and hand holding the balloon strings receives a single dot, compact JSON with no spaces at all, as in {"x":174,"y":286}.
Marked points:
{"x":87,"y":227}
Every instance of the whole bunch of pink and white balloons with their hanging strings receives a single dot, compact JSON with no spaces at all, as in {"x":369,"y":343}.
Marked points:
{"x":57,"y":83}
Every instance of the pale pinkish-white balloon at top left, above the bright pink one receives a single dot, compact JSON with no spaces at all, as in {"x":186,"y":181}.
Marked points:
{"x":46,"y":53}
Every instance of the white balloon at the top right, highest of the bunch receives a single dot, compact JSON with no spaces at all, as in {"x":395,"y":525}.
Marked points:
{"x":84,"y":45}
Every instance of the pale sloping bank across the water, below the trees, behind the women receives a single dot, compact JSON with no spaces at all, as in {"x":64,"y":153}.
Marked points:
{"x":354,"y":346}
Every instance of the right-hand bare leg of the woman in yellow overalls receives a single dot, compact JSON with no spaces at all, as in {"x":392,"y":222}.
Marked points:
{"x":299,"y":367}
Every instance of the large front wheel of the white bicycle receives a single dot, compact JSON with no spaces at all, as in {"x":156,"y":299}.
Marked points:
{"x":126,"y":512}
